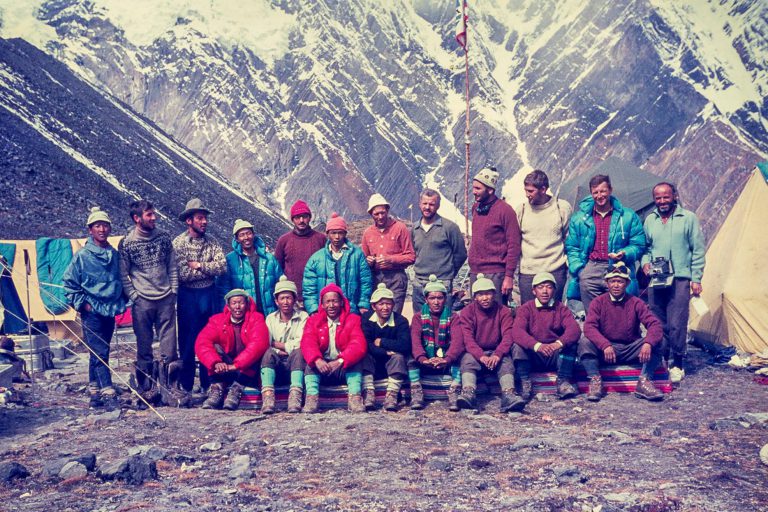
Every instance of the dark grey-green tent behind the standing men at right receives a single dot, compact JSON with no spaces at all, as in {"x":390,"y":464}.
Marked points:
{"x":631,"y":185}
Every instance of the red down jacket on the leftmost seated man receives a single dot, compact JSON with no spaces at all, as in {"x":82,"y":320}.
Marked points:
{"x":219,"y":331}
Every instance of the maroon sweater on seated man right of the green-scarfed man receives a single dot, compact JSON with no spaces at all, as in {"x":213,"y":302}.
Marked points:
{"x":484,"y":330}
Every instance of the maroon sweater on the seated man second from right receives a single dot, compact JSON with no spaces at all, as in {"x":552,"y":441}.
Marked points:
{"x":544,"y":325}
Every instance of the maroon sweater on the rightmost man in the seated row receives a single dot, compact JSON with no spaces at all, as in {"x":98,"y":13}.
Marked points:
{"x":611,"y":322}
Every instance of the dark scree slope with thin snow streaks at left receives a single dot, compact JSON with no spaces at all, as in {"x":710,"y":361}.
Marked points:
{"x":67,"y":146}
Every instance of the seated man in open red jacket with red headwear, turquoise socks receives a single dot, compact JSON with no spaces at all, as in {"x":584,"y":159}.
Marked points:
{"x":333,"y":346}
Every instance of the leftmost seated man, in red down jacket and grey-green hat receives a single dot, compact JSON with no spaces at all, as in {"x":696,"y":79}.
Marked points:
{"x":230,"y":346}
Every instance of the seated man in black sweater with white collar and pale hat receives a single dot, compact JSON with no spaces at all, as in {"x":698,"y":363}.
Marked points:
{"x":388,"y":336}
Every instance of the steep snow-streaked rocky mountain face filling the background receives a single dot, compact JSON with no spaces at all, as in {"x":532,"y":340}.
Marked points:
{"x":331,"y":100}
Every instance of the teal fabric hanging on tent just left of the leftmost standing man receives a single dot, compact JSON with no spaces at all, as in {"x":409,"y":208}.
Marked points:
{"x":53,"y":258}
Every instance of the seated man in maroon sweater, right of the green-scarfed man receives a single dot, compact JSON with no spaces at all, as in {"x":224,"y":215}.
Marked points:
{"x":486,"y":328}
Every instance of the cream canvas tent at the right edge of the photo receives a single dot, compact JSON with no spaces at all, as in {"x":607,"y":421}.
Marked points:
{"x":735,"y":284}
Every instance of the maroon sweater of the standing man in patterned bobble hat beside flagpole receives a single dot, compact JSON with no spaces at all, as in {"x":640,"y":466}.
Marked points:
{"x":496,"y":240}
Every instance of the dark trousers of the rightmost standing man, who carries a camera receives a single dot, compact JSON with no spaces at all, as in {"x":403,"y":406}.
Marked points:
{"x":670,"y":305}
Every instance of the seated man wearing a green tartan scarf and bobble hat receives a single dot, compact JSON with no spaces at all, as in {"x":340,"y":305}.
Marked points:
{"x":435,"y":347}
